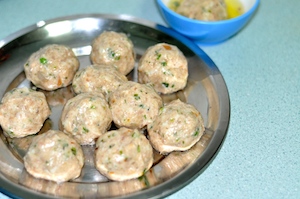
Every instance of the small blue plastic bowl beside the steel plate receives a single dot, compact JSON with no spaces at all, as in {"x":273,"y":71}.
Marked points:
{"x":206,"y":32}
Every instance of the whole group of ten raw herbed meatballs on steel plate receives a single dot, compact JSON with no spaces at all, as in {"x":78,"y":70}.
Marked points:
{"x":104,"y":97}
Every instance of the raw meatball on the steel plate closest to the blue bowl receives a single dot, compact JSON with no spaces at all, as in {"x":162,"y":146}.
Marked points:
{"x":164,"y":66}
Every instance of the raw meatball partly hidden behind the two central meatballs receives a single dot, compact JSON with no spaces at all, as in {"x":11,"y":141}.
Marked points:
{"x":98,"y":78}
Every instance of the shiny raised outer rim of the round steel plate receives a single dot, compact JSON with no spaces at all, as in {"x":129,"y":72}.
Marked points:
{"x":164,"y":189}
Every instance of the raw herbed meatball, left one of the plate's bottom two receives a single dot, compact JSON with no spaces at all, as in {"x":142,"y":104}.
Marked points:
{"x":54,"y":156}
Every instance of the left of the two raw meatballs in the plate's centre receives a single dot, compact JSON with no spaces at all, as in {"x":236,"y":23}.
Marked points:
{"x":86,"y":117}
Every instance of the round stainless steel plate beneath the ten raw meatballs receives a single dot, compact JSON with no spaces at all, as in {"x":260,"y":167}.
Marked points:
{"x":206,"y":90}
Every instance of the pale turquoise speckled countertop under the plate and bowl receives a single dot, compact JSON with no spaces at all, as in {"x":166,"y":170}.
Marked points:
{"x":260,"y":157}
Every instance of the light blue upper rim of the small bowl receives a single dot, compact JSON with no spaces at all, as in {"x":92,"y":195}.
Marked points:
{"x":226,"y":21}
